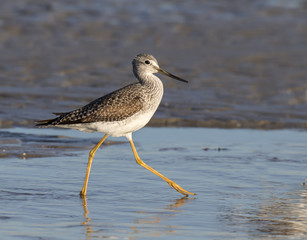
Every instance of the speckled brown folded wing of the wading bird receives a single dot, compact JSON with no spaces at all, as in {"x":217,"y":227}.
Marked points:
{"x":115,"y":106}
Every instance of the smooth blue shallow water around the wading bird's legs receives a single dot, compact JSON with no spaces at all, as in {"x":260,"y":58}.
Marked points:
{"x":248,"y":185}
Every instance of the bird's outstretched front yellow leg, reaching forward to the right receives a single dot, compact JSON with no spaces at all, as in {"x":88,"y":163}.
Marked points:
{"x":170,"y":182}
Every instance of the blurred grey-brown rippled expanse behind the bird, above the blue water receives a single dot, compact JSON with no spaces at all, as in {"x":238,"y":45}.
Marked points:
{"x":245,"y":60}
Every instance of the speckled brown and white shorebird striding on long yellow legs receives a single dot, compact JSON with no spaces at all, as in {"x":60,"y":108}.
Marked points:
{"x":121,"y":112}
